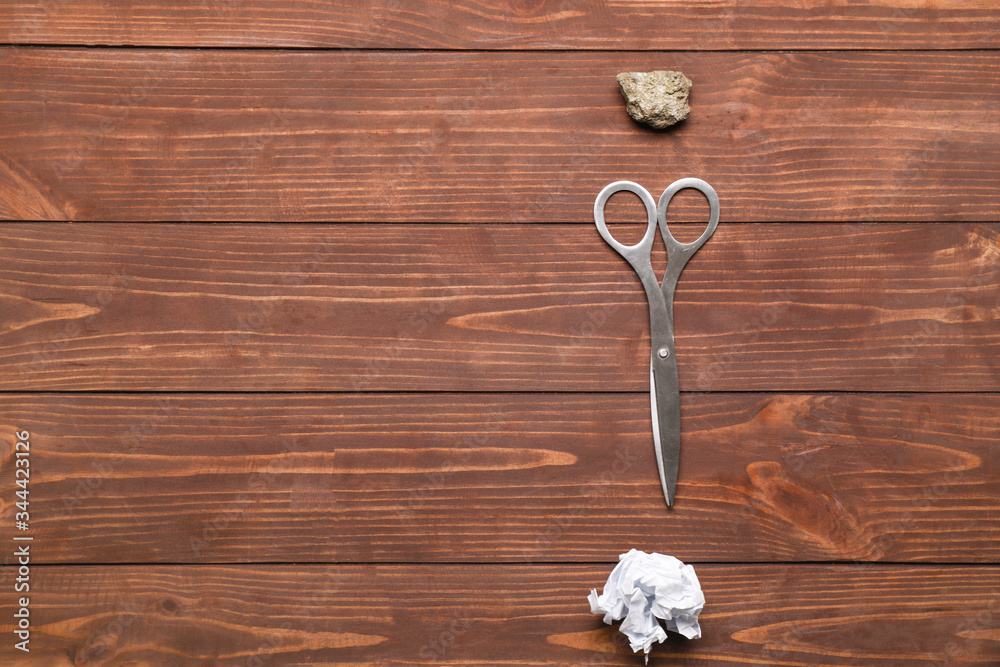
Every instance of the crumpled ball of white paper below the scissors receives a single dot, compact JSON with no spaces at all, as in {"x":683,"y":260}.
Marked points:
{"x":645,"y":587}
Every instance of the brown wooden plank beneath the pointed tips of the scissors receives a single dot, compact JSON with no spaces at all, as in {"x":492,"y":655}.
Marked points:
{"x":515,"y":478}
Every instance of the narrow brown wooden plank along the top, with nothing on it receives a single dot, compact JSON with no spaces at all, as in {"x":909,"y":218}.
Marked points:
{"x":507,"y":24}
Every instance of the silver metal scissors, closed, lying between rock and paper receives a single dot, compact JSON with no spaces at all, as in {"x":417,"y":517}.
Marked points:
{"x":664,"y":390}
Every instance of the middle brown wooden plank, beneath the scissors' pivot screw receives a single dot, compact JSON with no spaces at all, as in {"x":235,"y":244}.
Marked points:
{"x":206,"y":307}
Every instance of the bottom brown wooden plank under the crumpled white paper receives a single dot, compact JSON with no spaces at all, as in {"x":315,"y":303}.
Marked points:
{"x":790,"y":615}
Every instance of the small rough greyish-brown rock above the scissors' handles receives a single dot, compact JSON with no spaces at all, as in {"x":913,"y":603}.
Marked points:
{"x":658,"y":98}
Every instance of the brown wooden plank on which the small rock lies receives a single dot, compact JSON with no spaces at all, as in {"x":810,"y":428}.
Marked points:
{"x":460,"y":137}
